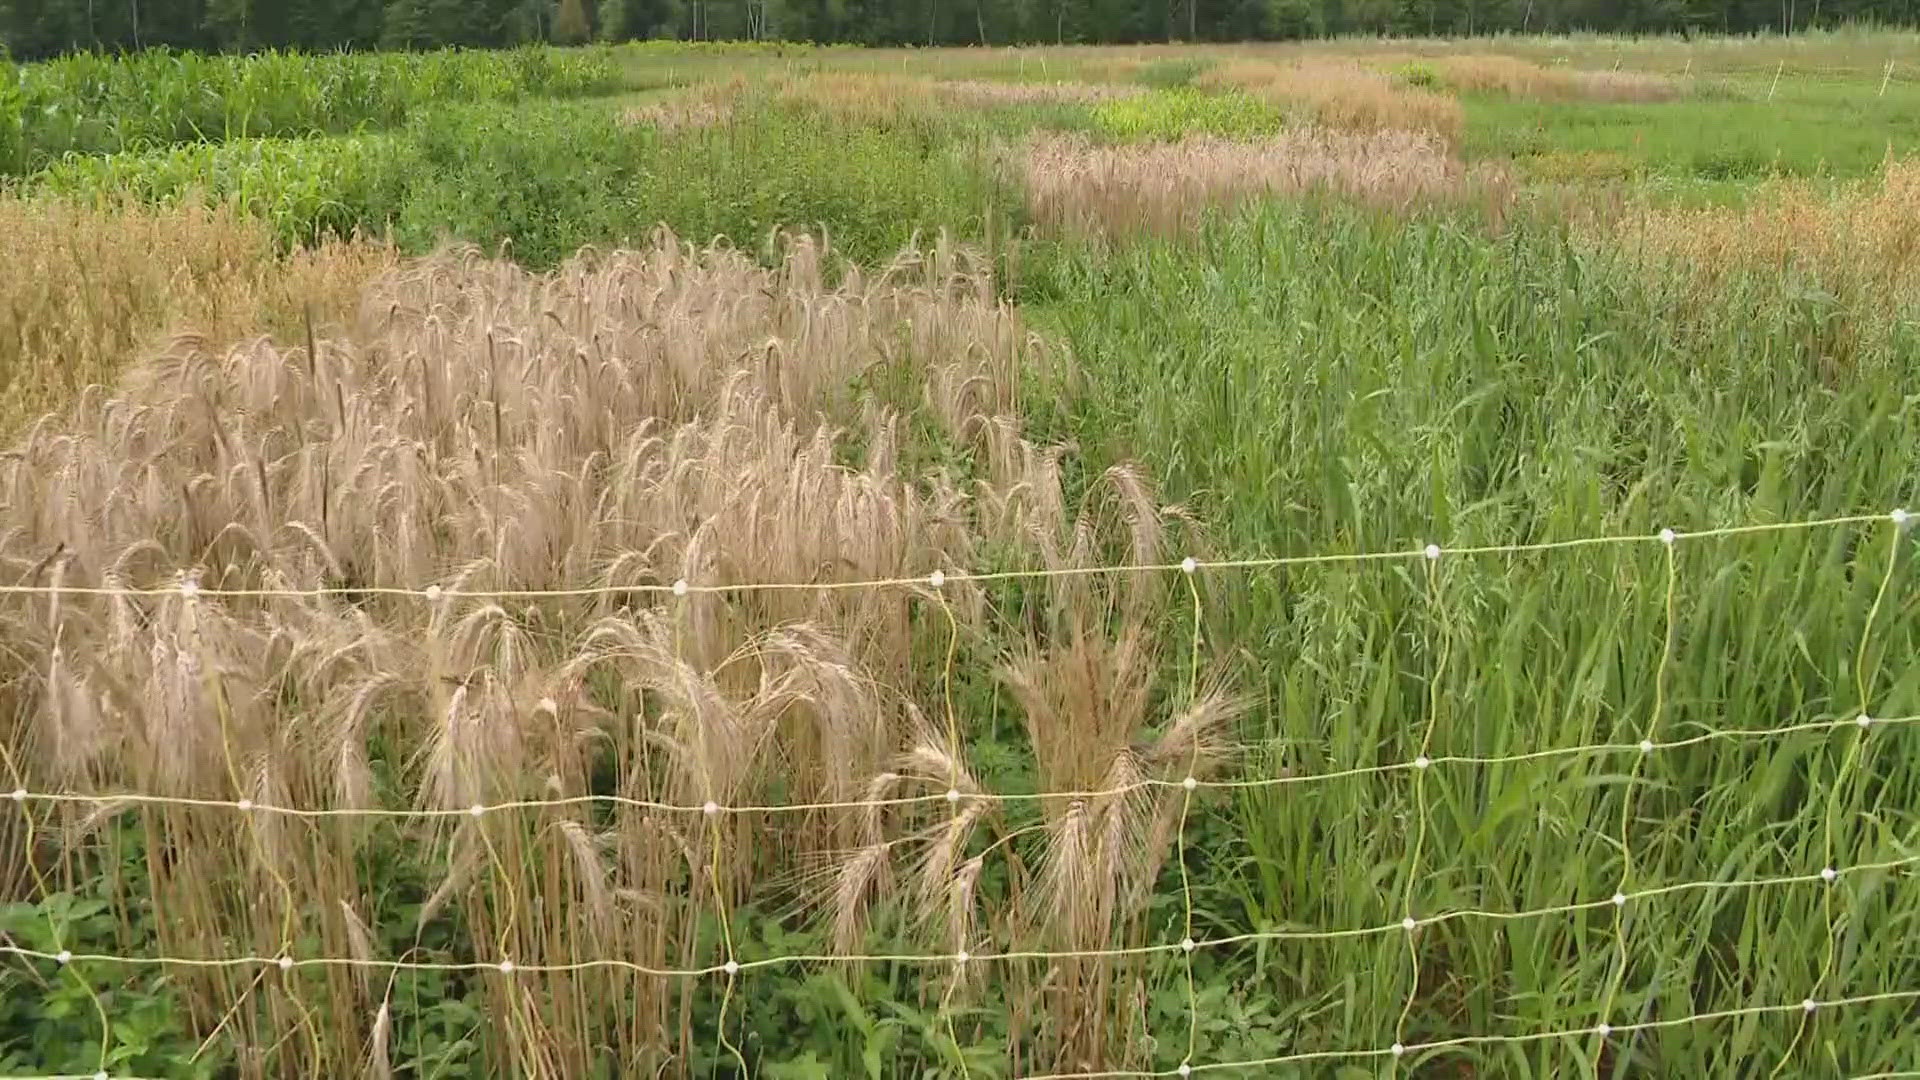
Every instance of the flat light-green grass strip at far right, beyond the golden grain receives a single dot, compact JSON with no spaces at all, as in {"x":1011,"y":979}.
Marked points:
{"x":1838,"y":128}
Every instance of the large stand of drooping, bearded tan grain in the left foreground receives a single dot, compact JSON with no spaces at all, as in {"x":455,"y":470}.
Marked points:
{"x":631,"y":420}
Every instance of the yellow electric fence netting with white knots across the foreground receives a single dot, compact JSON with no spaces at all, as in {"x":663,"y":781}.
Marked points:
{"x":1689,"y":835}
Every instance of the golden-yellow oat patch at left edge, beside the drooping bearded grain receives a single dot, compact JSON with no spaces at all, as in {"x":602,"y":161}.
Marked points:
{"x":89,"y":285}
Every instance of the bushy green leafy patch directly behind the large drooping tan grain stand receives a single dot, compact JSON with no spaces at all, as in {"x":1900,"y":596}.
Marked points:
{"x":558,"y":176}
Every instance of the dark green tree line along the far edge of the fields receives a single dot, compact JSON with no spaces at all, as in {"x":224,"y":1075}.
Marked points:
{"x":34,"y":30}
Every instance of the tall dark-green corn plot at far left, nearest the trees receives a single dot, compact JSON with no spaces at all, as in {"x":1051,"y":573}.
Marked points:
{"x":103,"y":105}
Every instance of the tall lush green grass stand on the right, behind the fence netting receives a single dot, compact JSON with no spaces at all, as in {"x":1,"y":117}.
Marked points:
{"x":1320,"y":381}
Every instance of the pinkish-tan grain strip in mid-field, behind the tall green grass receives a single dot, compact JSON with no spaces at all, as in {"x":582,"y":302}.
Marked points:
{"x":1082,"y":187}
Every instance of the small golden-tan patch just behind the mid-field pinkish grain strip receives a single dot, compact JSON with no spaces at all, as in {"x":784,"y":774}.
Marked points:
{"x":1343,"y":95}
